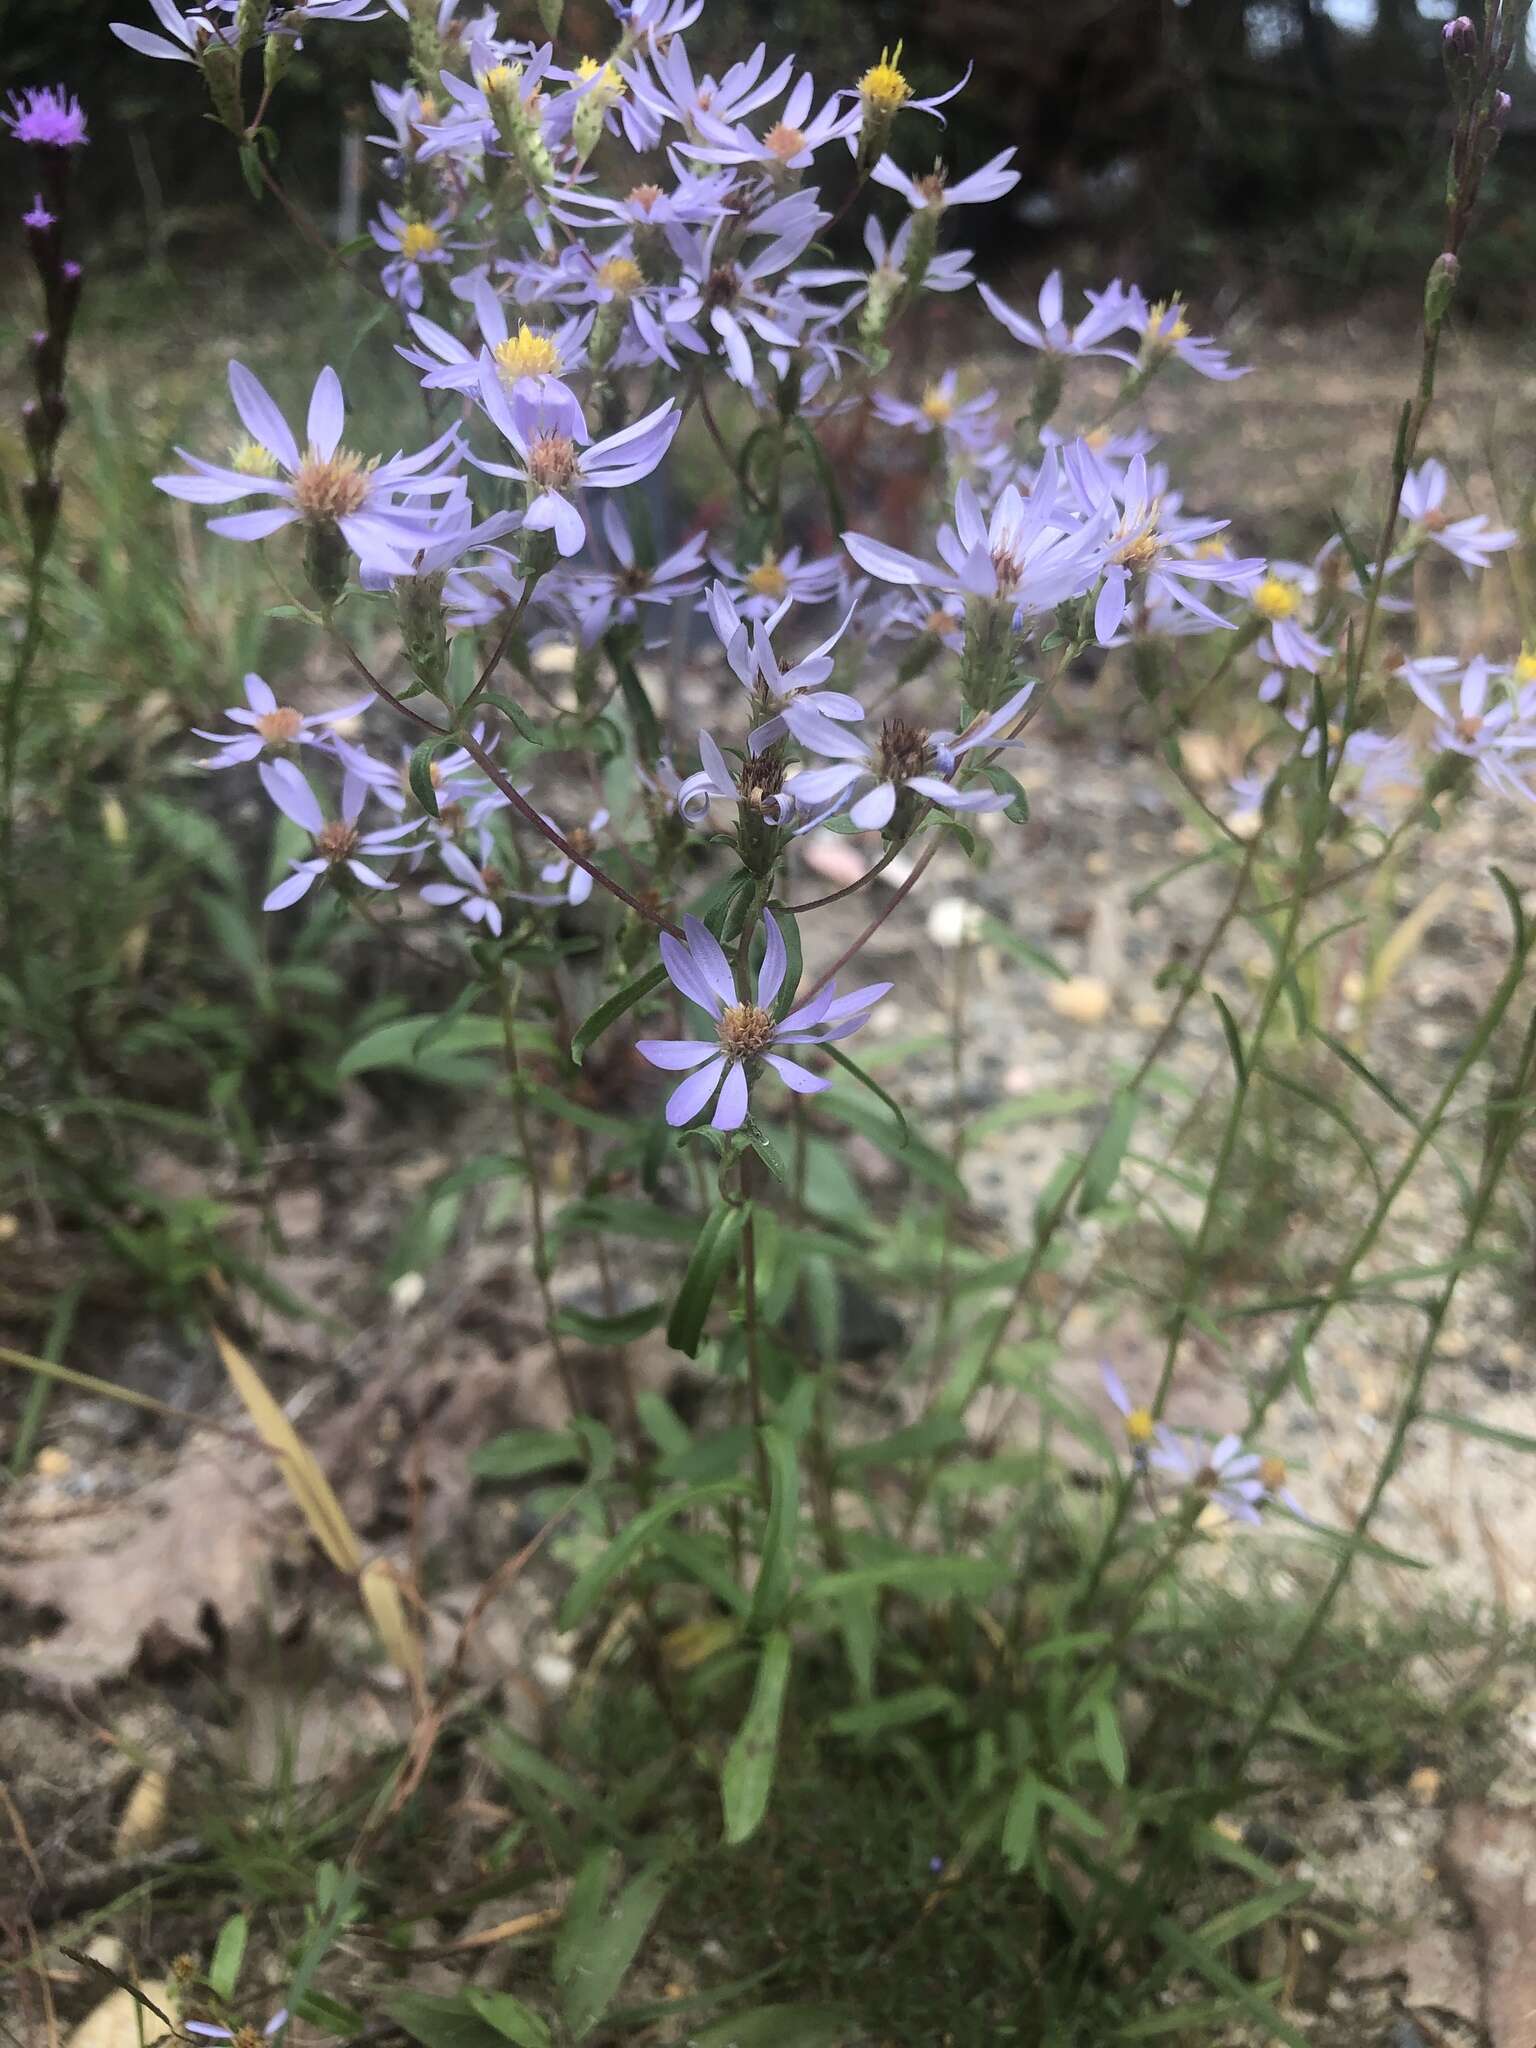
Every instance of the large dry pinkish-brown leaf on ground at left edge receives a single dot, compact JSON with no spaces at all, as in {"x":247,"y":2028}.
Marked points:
{"x":189,"y":1543}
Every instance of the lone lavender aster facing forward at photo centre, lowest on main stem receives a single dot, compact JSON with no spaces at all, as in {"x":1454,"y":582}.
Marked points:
{"x":746,"y":1031}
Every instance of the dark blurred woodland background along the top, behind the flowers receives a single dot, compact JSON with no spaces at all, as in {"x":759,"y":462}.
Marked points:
{"x":1289,"y":146}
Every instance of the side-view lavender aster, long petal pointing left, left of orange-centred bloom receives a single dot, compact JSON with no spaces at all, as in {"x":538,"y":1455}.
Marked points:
{"x":1033,"y":552}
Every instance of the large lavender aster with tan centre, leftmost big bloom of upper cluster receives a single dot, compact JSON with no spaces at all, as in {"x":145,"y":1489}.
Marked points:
{"x":327,"y":486}
